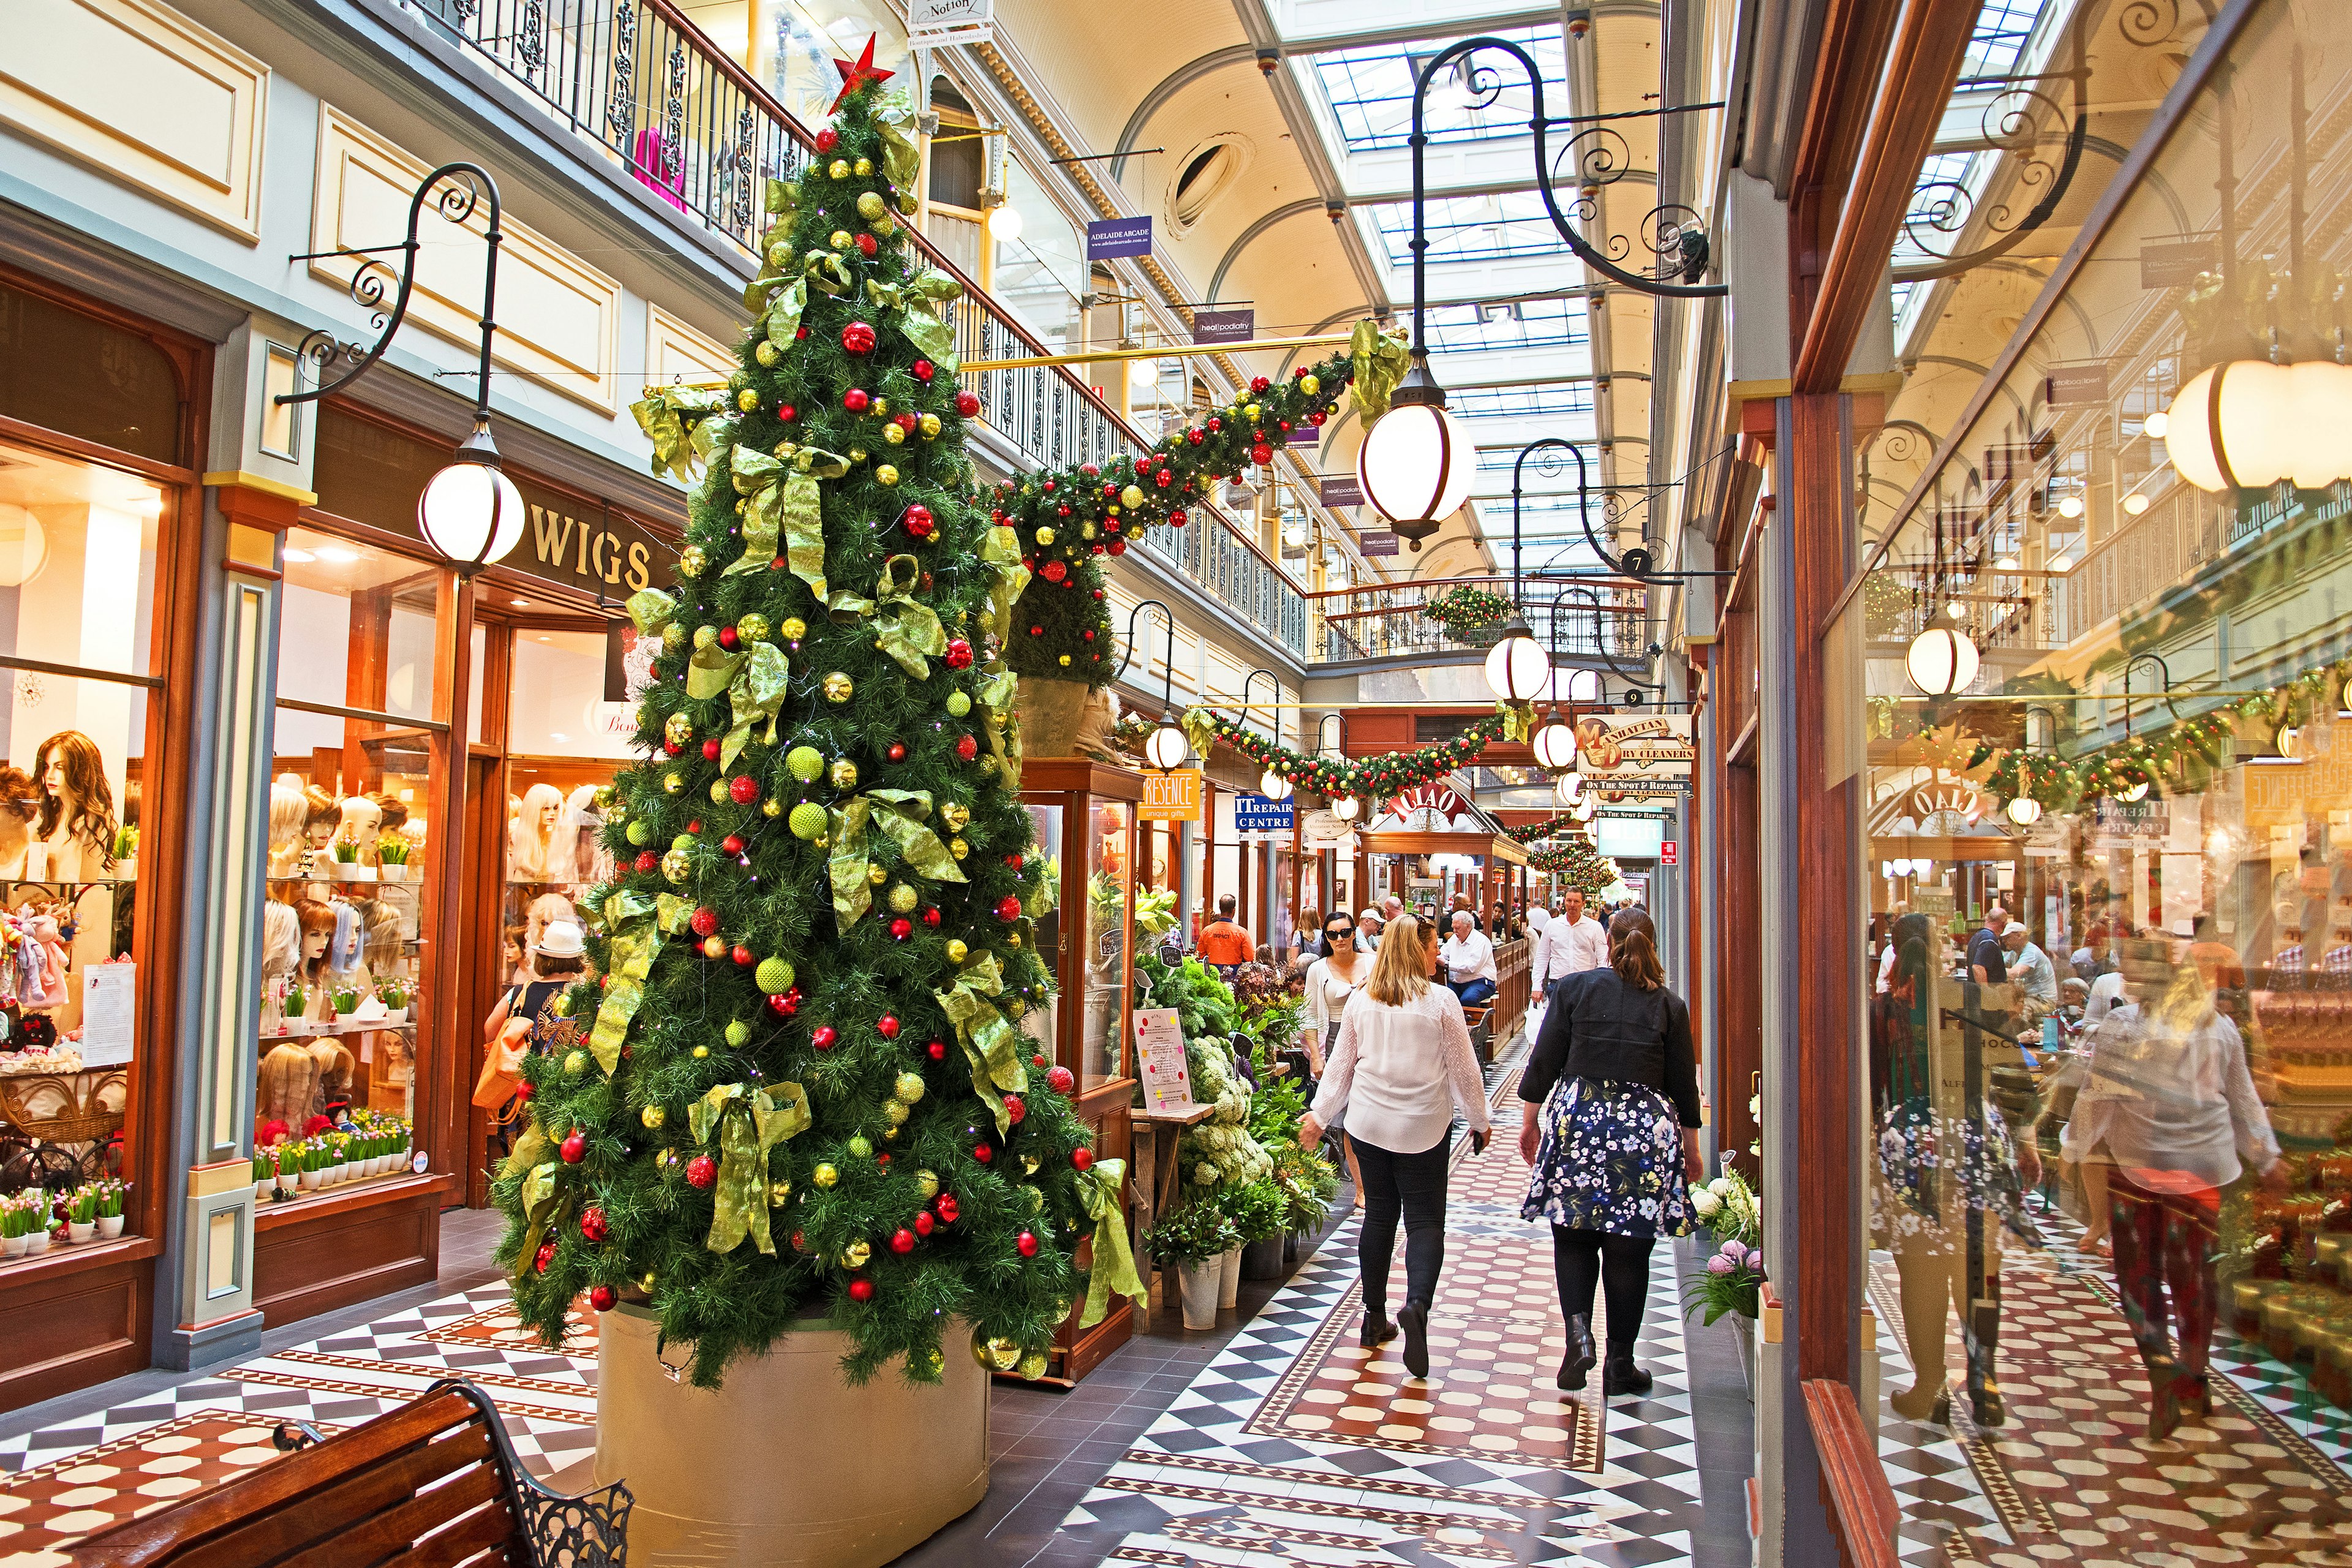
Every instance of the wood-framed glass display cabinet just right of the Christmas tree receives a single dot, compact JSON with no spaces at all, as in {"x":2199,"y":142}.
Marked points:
{"x":1085,"y":819}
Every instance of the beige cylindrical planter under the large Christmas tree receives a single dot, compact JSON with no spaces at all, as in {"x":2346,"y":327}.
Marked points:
{"x":784,"y":1466}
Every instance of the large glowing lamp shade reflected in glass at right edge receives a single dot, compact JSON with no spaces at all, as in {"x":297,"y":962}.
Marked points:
{"x":2250,"y":424}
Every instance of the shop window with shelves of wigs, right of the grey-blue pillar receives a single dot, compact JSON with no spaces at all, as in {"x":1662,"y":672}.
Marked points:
{"x":354,"y":808}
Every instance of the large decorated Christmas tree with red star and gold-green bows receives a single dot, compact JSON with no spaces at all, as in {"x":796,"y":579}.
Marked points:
{"x":801,"y":1087}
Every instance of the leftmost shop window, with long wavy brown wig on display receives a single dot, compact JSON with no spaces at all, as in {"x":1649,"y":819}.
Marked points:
{"x":79,"y":554}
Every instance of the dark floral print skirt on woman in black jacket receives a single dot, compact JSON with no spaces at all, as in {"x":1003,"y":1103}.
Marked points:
{"x":1610,"y":1160}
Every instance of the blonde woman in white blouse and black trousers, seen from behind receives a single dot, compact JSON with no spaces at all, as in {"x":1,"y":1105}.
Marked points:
{"x":1398,"y":1068}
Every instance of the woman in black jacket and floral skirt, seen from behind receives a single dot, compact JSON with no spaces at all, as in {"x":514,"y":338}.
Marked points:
{"x":1605,"y":1087}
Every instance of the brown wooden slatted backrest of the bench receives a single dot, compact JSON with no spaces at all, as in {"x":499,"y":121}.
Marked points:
{"x":420,"y":1485}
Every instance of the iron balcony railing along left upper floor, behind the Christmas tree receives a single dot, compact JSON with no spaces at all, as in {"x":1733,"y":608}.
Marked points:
{"x":702,"y":135}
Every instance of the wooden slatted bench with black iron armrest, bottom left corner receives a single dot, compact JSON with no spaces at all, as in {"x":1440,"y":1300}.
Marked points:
{"x":434,"y":1485}
